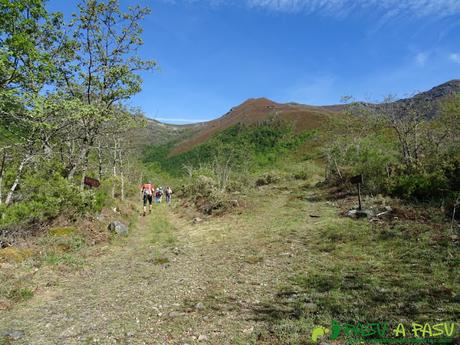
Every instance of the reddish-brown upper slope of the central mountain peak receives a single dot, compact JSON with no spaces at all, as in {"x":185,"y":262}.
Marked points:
{"x":256,"y":110}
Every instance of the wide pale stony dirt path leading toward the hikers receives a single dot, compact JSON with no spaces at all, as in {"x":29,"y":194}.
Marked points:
{"x":171,"y":282}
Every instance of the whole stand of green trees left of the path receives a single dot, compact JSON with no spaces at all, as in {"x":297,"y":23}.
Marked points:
{"x":61,"y":100}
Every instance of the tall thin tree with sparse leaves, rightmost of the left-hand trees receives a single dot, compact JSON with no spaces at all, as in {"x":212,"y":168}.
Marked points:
{"x":105,"y":68}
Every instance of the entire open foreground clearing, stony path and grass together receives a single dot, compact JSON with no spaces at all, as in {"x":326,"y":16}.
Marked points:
{"x":264,"y":275}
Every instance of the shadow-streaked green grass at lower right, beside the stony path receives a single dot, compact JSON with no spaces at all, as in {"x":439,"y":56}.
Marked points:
{"x":369,"y":277}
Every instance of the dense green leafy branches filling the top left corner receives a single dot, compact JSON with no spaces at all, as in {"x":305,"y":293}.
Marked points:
{"x":29,"y":43}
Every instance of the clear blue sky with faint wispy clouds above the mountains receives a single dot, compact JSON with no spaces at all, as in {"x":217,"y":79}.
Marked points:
{"x":215,"y":54}
